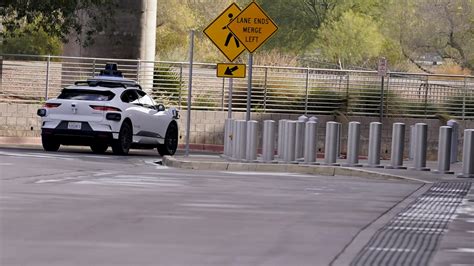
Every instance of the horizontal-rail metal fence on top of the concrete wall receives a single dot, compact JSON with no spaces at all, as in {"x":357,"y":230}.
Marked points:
{"x":309,"y":91}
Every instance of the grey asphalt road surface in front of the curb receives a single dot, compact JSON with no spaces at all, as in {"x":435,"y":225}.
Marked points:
{"x":76,"y":208}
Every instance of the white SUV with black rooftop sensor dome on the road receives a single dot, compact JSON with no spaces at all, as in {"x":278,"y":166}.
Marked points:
{"x":108,"y":110}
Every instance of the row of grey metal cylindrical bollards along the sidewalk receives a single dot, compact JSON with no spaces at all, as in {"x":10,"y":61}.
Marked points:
{"x":297,"y":143}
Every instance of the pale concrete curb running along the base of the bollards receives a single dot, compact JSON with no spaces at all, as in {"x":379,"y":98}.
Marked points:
{"x":291,"y":168}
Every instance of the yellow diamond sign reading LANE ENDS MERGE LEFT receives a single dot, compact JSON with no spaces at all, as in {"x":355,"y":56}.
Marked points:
{"x":252,"y":27}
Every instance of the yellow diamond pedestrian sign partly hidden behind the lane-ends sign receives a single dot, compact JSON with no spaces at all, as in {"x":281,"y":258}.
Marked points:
{"x":221,"y":36}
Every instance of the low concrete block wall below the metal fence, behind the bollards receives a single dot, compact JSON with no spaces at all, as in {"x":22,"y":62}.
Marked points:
{"x":207,"y":127}
